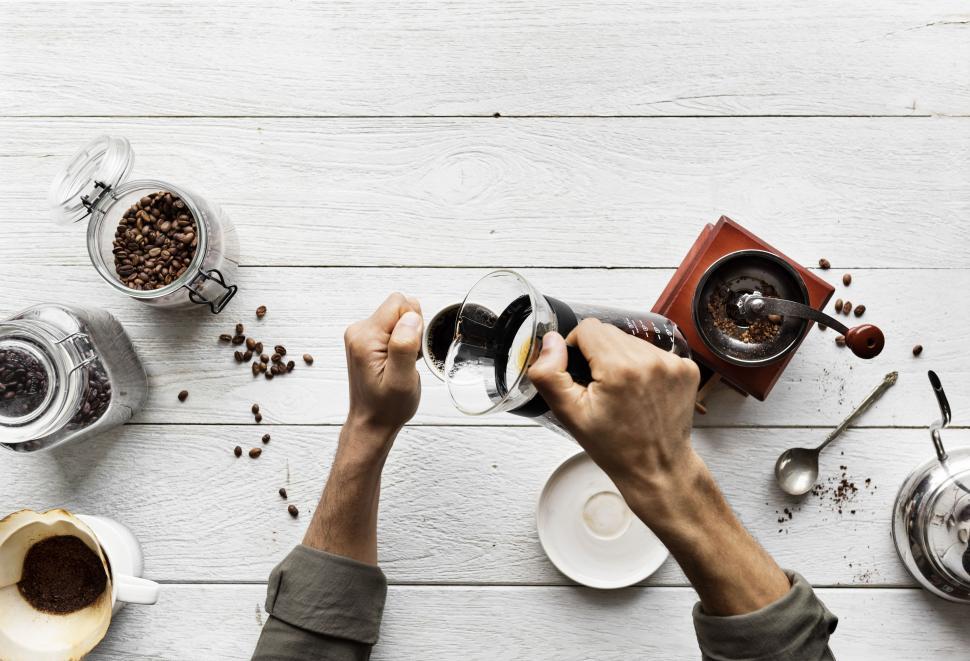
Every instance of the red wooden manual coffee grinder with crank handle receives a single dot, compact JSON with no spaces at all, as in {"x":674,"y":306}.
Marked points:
{"x":744,"y":308}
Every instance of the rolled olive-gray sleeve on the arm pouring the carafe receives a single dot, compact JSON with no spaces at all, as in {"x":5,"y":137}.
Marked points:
{"x":794,"y":628}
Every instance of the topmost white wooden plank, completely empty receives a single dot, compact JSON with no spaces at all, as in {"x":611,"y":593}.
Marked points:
{"x":544,"y":57}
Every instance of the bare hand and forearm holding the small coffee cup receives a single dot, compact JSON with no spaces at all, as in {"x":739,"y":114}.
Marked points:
{"x":385,"y":390}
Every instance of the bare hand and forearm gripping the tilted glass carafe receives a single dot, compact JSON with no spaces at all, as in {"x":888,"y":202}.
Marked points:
{"x":634,"y":420}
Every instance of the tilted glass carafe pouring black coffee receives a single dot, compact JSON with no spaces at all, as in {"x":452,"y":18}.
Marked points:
{"x":497,"y":335}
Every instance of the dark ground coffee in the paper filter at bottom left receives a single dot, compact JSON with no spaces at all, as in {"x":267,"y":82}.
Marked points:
{"x":62,"y":575}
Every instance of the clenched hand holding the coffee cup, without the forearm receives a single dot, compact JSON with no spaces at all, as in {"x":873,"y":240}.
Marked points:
{"x":385,"y":387}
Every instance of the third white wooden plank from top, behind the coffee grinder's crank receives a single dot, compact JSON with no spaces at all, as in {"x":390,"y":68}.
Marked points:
{"x":309,"y":309}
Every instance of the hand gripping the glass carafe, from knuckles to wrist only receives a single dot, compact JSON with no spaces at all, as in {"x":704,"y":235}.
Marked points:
{"x":634,"y":419}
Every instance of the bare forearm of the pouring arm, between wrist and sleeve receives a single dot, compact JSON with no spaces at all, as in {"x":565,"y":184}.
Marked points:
{"x":730,"y":571}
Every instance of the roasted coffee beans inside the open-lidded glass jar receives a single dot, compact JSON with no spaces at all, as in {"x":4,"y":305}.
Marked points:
{"x":154,"y":242}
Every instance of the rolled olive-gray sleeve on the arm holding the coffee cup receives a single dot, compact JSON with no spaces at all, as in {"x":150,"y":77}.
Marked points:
{"x":322,"y":606}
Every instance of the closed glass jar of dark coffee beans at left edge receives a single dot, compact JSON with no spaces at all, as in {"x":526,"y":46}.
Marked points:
{"x":66,"y":373}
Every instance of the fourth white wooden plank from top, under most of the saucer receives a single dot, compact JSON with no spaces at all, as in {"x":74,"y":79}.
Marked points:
{"x":458,"y":505}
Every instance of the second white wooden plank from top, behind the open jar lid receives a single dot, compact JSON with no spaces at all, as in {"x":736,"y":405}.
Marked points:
{"x":533,"y":192}
